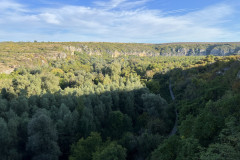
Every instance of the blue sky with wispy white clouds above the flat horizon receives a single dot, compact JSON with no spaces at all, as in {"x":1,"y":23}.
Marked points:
{"x":130,"y":21}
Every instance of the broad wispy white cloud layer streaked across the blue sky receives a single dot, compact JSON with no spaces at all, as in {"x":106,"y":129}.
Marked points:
{"x":79,"y":23}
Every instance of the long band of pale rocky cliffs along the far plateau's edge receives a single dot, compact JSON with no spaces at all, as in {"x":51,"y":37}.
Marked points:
{"x":115,"y":49}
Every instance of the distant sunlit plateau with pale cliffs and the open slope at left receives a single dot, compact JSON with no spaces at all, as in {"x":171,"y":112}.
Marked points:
{"x":13,"y":54}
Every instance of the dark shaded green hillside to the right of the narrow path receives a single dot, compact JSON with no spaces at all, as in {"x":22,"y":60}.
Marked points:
{"x":207,"y":103}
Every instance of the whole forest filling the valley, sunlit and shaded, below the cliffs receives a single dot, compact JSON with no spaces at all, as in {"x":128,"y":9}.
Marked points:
{"x":99,"y":107}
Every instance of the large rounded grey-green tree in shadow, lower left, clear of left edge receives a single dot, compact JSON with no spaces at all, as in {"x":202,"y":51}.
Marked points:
{"x":42,"y":137}
